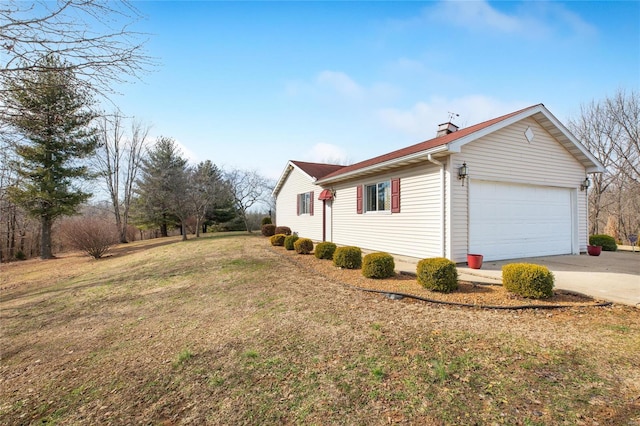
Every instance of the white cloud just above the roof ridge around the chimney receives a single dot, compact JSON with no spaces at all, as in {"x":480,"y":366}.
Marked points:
{"x":421,"y":120}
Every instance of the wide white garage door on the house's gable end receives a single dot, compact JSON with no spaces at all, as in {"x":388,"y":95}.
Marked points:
{"x":507,"y":221}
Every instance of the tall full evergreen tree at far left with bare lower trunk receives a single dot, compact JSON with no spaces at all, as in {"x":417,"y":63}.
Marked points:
{"x":50,"y":116}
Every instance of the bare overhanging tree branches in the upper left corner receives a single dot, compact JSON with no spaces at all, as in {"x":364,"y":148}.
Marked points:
{"x":94,"y":37}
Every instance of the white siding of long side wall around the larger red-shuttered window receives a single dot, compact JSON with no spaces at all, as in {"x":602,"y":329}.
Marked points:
{"x":414,"y":232}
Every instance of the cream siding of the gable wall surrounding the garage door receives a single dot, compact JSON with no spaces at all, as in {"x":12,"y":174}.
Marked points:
{"x":507,"y":156}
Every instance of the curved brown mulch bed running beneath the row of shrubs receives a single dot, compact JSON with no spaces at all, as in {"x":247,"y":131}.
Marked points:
{"x":469,"y":294}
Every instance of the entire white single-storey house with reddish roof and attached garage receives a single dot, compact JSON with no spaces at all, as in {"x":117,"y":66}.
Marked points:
{"x":513,"y":186}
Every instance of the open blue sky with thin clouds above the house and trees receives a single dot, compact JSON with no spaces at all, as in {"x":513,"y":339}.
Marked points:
{"x":251,"y":85}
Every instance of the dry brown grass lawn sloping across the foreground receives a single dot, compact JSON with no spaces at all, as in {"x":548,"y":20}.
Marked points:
{"x":228,"y":330}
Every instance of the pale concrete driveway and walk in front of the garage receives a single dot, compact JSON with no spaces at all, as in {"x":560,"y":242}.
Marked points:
{"x":612,"y":276}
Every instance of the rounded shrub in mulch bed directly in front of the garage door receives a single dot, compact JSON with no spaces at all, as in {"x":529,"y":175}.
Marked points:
{"x":528,"y":280}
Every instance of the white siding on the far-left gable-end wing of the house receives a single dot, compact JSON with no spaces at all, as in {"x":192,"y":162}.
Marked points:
{"x":306,"y":225}
